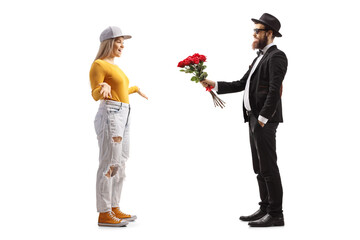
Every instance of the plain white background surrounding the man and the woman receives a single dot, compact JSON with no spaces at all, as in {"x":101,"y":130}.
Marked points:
{"x":190,"y":173}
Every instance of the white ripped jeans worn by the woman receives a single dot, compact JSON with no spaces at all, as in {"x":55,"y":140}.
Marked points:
{"x":112,"y":120}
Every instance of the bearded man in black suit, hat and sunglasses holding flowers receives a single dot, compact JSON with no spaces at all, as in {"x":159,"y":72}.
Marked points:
{"x":262,"y":85}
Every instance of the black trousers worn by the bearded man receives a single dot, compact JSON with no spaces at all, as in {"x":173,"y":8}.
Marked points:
{"x":263,"y":150}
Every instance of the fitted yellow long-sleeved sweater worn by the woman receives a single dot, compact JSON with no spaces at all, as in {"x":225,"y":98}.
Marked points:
{"x":102,"y":71}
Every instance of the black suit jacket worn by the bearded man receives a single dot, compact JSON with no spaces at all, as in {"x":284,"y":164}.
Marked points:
{"x":265,"y":85}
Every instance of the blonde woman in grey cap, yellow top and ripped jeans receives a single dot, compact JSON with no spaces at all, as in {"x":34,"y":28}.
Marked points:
{"x":110,"y":84}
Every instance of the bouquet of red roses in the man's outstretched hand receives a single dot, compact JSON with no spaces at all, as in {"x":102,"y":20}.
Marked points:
{"x":195,"y":64}
